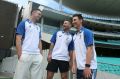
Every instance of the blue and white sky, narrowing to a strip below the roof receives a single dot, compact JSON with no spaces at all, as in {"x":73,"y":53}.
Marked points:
{"x":54,"y":5}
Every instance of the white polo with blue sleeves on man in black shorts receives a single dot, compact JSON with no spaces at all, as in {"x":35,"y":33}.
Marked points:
{"x":63,"y":43}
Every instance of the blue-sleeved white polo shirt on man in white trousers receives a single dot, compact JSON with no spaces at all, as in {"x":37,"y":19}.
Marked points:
{"x":30,"y":36}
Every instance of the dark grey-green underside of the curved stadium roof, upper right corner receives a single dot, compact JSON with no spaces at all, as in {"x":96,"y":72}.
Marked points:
{"x":108,"y":8}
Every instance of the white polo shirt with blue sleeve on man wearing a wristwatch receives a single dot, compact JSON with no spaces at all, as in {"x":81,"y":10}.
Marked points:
{"x":83,"y":39}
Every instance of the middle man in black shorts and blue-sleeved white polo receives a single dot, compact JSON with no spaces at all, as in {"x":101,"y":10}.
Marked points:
{"x":60,"y":52}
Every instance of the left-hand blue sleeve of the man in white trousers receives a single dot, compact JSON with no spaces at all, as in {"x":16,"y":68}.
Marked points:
{"x":21,"y":29}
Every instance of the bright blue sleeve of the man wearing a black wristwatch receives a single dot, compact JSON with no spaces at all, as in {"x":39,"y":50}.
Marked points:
{"x":89,"y":37}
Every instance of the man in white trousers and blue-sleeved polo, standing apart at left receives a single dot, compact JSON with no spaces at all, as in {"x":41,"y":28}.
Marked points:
{"x":29,"y":48}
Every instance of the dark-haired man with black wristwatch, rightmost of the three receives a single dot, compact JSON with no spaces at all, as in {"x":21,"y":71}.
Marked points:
{"x":84,"y":56}
